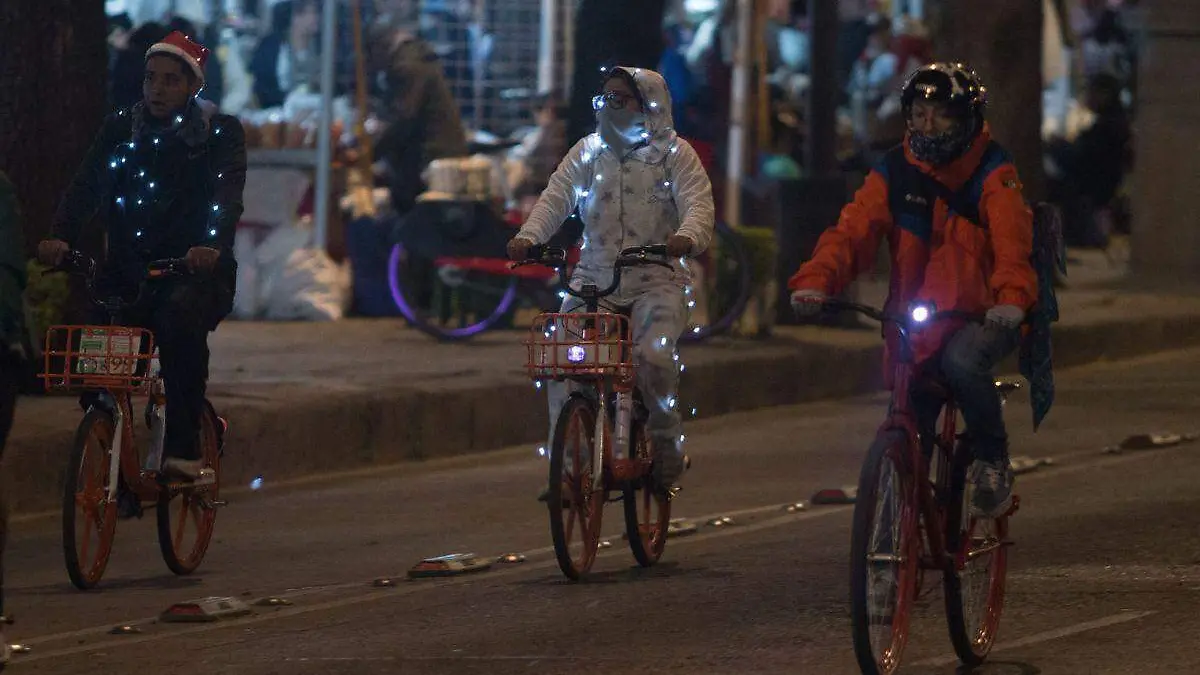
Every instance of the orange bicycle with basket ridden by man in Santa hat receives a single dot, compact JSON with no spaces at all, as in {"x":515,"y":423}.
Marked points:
{"x":106,"y":468}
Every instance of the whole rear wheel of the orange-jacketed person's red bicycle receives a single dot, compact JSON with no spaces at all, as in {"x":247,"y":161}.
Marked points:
{"x":975,"y":587}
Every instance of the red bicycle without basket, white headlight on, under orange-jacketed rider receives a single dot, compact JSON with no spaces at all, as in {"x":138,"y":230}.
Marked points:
{"x":928,"y":522}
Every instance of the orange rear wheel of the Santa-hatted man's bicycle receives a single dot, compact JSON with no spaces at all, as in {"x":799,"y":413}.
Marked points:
{"x":187,"y":516}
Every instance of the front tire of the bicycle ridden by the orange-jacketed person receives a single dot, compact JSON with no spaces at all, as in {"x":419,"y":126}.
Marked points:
{"x":887,"y":449}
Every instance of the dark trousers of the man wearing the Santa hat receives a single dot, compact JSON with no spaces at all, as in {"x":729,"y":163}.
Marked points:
{"x":182,"y":313}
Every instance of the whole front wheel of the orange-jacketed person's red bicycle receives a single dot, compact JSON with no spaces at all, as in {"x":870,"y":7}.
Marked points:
{"x":885,"y":551}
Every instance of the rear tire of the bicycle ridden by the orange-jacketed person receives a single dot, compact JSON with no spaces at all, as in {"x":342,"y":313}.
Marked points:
{"x":973,"y":646}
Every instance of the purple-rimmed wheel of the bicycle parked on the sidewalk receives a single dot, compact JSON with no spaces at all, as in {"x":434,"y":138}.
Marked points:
{"x":445,"y":302}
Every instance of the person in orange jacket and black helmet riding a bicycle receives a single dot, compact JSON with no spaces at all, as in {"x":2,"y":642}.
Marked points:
{"x":949,"y":201}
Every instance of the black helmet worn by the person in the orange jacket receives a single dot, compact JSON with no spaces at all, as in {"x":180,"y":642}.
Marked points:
{"x":964,"y":95}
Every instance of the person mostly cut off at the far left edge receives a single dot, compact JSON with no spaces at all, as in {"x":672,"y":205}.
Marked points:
{"x":13,"y":353}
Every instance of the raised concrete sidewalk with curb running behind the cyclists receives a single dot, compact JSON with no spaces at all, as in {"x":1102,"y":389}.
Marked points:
{"x":305,"y":398}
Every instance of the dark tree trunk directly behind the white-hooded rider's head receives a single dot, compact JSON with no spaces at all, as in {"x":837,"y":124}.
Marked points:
{"x":627,"y":33}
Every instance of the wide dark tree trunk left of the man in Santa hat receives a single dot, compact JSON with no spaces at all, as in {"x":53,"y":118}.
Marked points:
{"x":53,"y":79}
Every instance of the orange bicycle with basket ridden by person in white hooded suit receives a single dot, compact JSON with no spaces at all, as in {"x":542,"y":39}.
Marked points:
{"x":596,"y":350}
